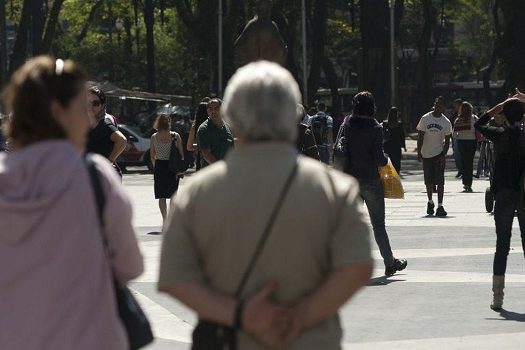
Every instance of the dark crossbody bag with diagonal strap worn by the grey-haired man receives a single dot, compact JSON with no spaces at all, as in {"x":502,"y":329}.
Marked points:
{"x":213,"y":336}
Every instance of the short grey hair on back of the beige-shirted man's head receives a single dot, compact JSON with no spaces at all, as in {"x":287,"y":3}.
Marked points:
{"x":260,"y":103}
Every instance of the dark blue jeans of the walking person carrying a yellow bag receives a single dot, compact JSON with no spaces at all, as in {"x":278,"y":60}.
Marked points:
{"x":373,"y":196}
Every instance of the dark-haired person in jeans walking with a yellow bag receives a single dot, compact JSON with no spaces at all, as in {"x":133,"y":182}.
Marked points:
{"x":364,"y":137}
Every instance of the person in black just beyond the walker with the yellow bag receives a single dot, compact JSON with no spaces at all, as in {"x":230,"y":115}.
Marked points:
{"x":394,"y":138}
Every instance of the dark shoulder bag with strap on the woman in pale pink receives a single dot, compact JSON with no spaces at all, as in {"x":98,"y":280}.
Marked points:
{"x":135,"y":322}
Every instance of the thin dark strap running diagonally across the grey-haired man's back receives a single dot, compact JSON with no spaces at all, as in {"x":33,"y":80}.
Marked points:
{"x":266,"y":232}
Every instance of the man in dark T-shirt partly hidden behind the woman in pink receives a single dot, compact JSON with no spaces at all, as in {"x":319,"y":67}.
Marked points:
{"x":104,"y":138}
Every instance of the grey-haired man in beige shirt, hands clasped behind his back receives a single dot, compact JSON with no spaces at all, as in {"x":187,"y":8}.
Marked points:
{"x":245,"y":249}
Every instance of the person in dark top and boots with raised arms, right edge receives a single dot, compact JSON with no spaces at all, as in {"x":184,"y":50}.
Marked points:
{"x":507,"y":183}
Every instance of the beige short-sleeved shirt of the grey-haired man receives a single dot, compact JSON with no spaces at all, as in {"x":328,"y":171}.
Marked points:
{"x":217,"y":219}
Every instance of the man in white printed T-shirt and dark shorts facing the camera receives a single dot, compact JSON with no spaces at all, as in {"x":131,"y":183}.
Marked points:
{"x":434,"y":131}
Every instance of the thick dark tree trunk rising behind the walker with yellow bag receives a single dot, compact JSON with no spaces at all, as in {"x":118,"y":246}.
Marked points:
{"x":375,"y":74}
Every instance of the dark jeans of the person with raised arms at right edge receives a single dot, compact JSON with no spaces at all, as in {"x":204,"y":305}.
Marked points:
{"x":507,"y":201}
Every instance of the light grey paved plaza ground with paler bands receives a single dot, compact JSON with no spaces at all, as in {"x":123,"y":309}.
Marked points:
{"x":441,"y":301}
